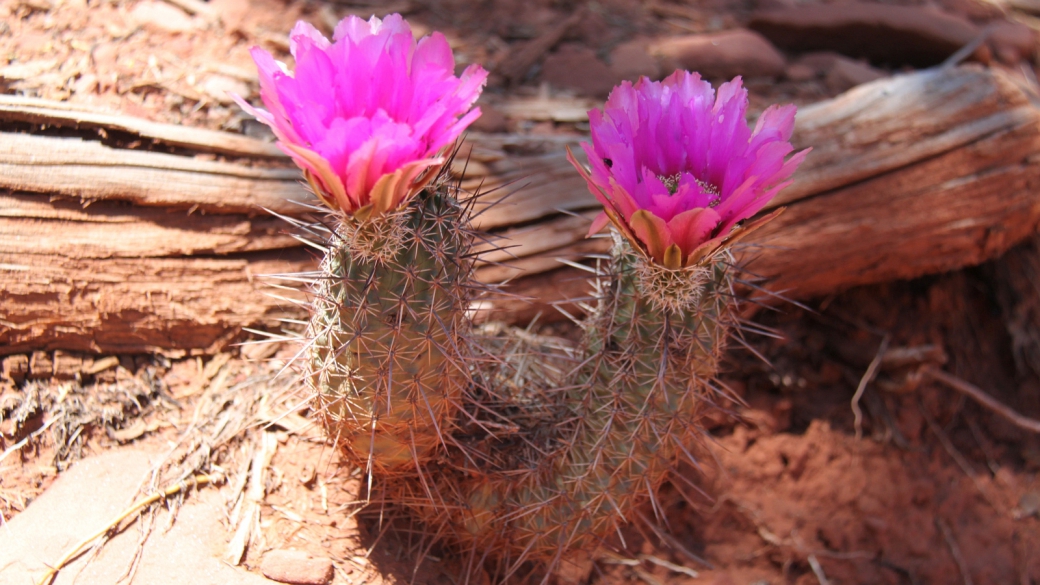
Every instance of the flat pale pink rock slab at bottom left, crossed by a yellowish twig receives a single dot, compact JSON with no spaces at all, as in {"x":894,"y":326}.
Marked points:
{"x":87,"y":498}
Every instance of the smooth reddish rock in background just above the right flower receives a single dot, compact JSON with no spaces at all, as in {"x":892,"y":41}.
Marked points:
{"x":721,"y":55}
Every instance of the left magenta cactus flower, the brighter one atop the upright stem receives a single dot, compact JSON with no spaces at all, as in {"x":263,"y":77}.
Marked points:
{"x":369,"y":116}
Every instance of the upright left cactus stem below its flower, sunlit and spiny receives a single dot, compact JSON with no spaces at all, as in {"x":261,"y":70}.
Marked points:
{"x":389,"y":310}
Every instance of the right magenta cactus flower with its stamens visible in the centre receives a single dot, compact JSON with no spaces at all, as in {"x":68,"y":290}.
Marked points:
{"x":678,"y":168}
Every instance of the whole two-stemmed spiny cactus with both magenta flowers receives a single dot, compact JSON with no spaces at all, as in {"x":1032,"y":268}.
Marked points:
{"x":505,"y":444}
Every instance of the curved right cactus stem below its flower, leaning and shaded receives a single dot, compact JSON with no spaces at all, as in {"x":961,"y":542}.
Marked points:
{"x":623,"y":417}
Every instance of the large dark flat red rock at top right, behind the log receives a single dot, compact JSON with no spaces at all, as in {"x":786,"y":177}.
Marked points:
{"x":917,"y":36}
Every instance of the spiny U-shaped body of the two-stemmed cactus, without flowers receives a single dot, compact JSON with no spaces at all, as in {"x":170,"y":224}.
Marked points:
{"x":507,"y":445}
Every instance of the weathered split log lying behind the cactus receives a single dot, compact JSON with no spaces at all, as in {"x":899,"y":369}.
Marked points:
{"x":109,"y":249}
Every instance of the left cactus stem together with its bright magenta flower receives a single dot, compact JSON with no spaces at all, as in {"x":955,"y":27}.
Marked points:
{"x":368,"y":118}
